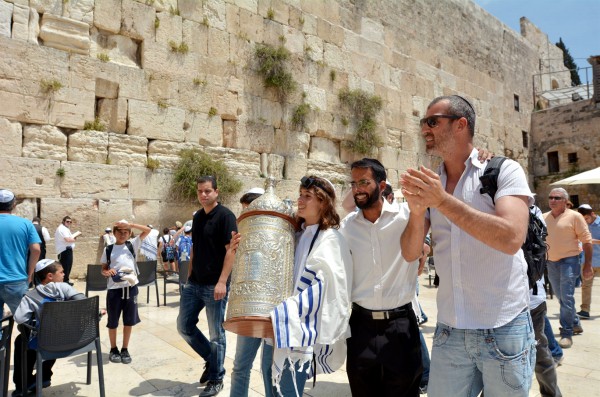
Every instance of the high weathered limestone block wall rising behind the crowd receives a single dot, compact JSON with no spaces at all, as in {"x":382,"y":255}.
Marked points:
{"x":113,"y":62}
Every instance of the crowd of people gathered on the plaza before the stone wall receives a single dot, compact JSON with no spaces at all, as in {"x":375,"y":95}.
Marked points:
{"x":491,"y":328}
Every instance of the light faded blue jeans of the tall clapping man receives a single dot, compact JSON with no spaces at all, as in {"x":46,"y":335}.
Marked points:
{"x":502,"y":359}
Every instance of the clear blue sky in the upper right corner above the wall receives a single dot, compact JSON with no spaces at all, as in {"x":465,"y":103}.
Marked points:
{"x":576,"y":21}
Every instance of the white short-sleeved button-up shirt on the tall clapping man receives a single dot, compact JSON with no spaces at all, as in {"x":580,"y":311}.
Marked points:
{"x":480,"y":287}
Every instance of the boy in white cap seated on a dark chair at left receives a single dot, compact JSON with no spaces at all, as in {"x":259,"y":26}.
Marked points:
{"x":51,"y":288}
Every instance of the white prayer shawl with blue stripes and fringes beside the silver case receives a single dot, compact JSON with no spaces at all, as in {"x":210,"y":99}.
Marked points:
{"x":315,"y":319}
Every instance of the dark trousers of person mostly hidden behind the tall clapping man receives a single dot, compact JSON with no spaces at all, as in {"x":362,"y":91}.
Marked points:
{"x":545,"y":372}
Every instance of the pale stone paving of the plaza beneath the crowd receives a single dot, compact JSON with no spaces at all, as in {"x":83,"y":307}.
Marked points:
{"x":164,"y":365}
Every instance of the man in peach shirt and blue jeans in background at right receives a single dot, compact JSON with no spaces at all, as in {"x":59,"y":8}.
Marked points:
{"x":566,"y":228}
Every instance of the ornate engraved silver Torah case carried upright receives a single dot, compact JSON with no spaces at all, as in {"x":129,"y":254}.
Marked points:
{"x":262,"y":275}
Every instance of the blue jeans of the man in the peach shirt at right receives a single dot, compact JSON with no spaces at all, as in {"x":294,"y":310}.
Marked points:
{"x":562,"y":275}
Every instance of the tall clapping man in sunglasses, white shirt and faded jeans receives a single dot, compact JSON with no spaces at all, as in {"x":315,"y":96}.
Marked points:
{"x":484,"y":335}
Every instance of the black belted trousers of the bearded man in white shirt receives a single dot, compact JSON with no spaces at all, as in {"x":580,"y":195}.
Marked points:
{"x":384,"y":356}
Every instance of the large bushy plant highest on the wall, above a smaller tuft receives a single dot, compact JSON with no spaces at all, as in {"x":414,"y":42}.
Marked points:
{"x":273,"y":67}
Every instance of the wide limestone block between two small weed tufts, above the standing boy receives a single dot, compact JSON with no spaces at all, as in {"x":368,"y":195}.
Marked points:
{"x":82,"y":180}
